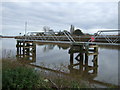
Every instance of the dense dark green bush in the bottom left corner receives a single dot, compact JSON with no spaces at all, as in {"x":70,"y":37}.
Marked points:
{"x":18,"y":77}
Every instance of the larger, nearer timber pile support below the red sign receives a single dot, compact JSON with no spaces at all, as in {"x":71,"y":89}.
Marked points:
{"x":84,"y":51}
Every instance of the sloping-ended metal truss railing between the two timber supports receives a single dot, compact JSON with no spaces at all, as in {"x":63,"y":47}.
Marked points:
{"x":50,"y":37}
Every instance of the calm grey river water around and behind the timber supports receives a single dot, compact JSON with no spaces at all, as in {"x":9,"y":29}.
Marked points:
{"x":55,"y":56}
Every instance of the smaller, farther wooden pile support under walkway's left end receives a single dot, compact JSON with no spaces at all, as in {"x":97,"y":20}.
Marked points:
{"x":26,"y":50}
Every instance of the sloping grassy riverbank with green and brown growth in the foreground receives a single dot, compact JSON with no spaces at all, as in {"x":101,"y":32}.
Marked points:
{"x":21,"y":76}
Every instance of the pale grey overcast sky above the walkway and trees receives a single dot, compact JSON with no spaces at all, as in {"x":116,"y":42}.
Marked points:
{"x":87,"y":16}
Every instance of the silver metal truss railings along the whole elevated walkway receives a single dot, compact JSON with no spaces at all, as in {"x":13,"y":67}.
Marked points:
{"x":66,"y":37}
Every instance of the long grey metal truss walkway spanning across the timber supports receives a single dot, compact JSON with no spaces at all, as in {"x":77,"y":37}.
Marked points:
{"x":66,"y":38}
